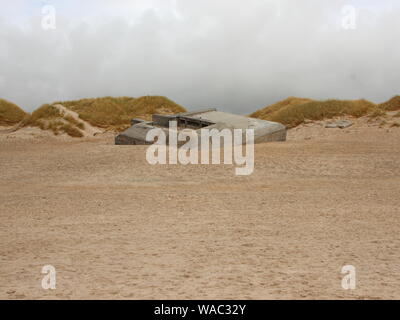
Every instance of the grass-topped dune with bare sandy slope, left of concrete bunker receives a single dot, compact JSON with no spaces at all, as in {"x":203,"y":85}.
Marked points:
{"x":87,"y":117}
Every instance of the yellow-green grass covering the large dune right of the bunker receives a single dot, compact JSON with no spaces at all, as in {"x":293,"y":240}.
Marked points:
{"x":295,"y":113}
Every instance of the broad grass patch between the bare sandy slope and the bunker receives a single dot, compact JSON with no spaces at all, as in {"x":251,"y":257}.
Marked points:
{"x":111,"y":113}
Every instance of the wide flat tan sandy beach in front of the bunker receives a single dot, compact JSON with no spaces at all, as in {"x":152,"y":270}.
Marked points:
{"x":115,"y":227}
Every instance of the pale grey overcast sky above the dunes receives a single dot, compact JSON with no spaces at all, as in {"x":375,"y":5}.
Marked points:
{"x":234,"y":55}
